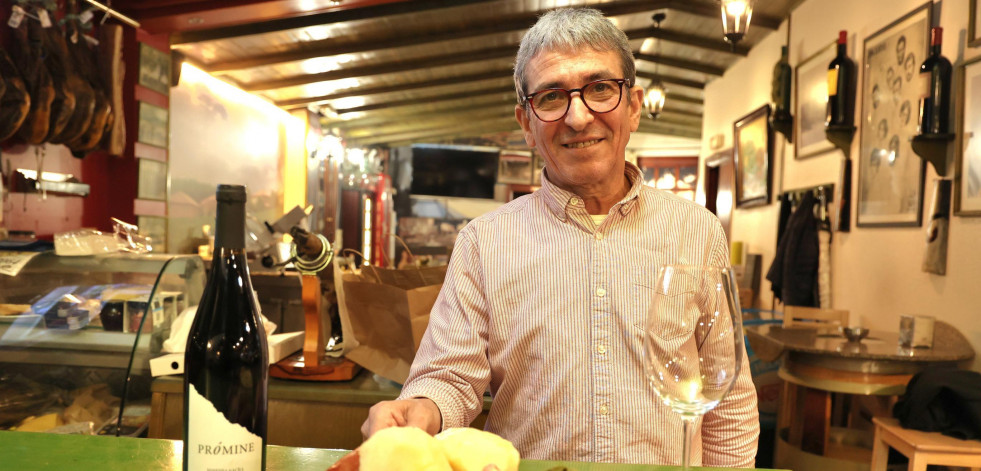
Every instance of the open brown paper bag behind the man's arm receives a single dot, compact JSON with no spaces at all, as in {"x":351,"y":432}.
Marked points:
{"x":386,"y":312}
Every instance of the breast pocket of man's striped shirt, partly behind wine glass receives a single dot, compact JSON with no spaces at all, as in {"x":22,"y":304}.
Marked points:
{"x":669,"y":311}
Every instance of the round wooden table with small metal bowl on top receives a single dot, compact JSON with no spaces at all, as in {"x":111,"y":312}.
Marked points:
{"x":816,"y":363}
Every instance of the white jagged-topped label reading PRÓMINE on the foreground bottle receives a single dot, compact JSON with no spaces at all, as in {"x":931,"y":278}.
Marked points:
{"x":214,"y":443}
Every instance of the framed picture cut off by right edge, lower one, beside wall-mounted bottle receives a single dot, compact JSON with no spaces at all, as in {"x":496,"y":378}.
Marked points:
{"x":967,"y":182}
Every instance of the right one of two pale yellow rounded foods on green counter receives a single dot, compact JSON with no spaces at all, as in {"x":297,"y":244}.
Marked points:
{"x":470,"y":449}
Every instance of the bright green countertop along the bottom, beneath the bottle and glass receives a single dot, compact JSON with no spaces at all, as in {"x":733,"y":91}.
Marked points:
{"x":27,"y":451}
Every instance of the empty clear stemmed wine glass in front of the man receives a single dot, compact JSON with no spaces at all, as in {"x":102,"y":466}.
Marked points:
{"x":693,"y":340}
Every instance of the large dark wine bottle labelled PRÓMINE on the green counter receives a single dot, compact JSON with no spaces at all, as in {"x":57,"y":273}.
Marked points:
{"x":226,"y":361}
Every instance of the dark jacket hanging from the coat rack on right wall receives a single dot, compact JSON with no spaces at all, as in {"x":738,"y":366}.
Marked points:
{"x":793,"y":273}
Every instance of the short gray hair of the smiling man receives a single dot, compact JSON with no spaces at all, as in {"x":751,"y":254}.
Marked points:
{"x":571,"y":29}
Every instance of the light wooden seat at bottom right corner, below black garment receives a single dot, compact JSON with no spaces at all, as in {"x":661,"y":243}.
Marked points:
{"x":922,"y":448}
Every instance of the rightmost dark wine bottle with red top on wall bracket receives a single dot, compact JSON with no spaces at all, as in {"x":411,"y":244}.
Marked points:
{"x":935,"y":99}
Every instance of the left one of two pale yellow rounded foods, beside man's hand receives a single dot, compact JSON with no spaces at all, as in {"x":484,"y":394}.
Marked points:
{"x":402,"y":449}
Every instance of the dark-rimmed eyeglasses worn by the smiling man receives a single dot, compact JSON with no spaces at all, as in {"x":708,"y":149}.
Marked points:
{"x":601,"y":96}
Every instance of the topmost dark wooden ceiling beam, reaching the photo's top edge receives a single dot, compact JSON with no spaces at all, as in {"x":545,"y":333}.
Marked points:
{"x":317,"y":19}
